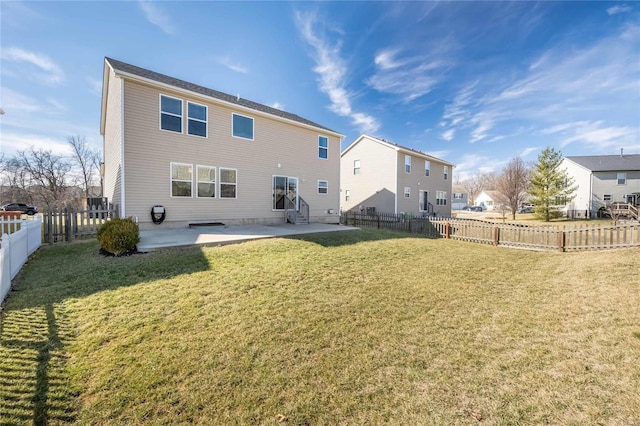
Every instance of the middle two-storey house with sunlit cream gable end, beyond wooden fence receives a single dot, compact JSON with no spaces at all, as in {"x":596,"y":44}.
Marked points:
{"x":381,"y":176}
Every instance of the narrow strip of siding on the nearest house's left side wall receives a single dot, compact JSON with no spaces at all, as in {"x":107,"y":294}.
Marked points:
{"x":112,"y":140}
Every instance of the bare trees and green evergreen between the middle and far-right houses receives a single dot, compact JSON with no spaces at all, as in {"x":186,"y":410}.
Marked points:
{"x":543,"y":184}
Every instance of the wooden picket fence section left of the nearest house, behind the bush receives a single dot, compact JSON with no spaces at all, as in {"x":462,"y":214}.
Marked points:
{"x":69,"y":224}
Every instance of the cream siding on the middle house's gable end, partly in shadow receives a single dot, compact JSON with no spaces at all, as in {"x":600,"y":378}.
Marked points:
{"x":375,"y":185}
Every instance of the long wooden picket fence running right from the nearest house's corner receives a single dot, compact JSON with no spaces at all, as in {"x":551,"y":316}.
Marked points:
{"x":549,"y":238}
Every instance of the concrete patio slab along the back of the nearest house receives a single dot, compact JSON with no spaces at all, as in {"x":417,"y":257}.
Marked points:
{"x":217,"y":235}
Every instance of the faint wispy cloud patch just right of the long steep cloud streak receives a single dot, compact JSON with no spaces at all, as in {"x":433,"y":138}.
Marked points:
{"x":409,"y":77}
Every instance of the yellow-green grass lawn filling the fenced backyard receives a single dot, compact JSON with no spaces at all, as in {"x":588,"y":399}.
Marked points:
{"x":362,"y":327}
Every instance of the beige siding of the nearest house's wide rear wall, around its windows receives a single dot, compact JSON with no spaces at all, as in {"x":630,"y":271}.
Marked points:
{"x":277,"y":149}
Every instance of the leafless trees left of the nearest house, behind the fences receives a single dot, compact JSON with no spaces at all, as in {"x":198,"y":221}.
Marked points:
{"x":43,"y":178}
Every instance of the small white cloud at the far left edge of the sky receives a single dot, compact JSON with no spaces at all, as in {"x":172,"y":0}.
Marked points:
{"x":35,"y":66}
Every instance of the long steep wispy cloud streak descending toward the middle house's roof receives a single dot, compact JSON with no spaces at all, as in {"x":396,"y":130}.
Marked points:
{"x":331,"y":68}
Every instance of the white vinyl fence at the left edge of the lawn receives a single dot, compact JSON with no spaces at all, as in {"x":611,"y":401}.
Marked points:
{"x":20,"y":238}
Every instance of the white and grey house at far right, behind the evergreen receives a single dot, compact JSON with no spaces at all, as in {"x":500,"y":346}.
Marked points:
{"x":602,"y":179}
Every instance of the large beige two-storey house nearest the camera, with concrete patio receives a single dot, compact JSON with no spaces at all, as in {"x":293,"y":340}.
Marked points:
{"x":206,"y":156}
